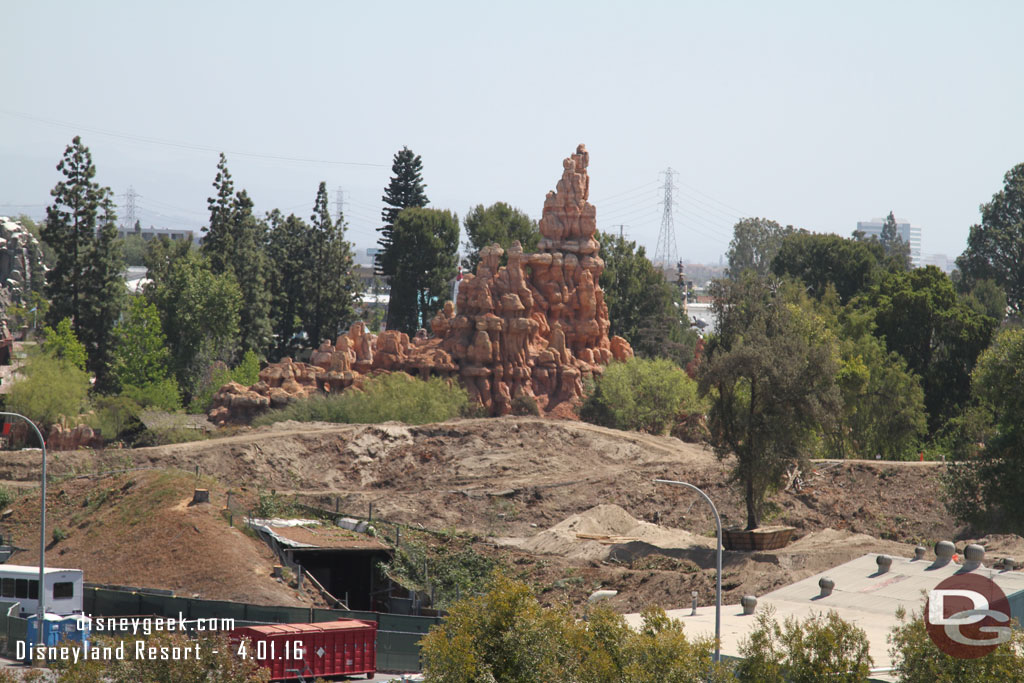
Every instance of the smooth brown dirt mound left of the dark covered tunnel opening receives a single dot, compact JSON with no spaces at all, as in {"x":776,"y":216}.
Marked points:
{"x":140,"y":530}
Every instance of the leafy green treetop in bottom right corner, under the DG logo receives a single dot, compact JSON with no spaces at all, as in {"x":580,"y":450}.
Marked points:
{"x":917,"y":660}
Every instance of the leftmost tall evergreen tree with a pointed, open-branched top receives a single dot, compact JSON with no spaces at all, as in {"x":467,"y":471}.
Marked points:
{"x":86,"y":282}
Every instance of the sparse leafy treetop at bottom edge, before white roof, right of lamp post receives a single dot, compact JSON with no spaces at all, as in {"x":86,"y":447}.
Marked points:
{"x":822,"y":649}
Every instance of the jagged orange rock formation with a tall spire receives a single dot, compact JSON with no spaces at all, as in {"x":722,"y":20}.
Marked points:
{"x":536,"y":327}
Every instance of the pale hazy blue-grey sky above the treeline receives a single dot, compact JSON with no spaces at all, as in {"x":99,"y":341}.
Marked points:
{"x":816,"y":114}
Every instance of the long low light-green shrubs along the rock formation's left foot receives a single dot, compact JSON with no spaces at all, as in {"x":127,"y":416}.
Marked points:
{"x":396,"y":397}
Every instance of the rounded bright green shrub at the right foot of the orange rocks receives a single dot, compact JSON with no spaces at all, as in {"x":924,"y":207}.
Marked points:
{"x":642,"y":395}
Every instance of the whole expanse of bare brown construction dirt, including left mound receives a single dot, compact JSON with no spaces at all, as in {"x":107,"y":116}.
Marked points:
{"x":570,"y":506}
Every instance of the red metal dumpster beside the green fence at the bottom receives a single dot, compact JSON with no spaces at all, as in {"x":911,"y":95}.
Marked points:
{"x":327,"y":649}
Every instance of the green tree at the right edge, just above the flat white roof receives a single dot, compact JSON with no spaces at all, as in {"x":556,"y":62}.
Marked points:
{"x":987,"y":483}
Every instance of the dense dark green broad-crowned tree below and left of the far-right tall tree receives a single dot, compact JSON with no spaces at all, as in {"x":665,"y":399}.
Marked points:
{"x":921,"y":318}
